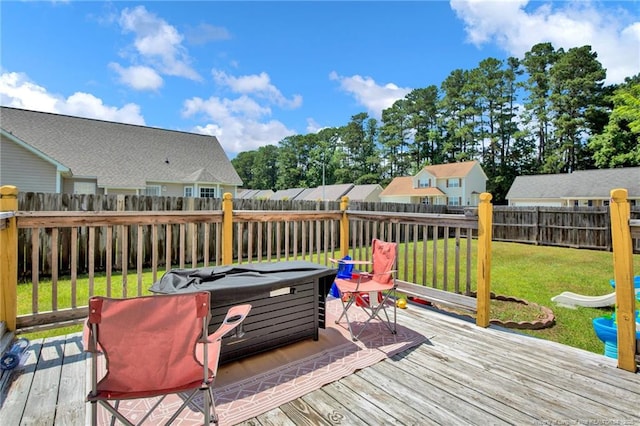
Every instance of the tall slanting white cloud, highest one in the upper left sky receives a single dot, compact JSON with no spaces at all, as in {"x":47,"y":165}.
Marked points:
{"x":157,"y":43}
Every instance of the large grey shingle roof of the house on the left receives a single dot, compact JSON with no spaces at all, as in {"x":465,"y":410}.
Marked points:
{"x":121,"y":155}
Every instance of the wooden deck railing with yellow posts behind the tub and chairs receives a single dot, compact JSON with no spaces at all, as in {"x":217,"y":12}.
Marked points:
{"x":120,"y":254}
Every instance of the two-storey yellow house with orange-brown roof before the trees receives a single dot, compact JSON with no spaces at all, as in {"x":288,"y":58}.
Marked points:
{"x":453,"y":184}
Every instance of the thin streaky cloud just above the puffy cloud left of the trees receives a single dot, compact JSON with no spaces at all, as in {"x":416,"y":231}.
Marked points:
{"x":257,"y":85}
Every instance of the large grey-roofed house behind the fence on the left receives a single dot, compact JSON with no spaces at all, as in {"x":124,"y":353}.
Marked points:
{"x":44,"y":152}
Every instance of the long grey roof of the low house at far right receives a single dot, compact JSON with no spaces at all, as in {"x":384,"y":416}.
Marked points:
{"x":580,"y":184}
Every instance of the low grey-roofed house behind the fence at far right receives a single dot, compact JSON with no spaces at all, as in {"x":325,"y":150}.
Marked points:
{"x":580,"y":188}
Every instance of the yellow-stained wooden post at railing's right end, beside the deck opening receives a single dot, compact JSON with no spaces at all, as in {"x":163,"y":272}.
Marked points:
{"x":485,"y":224}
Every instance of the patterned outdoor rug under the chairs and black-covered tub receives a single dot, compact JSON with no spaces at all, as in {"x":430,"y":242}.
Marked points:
{"x":255,"y":385}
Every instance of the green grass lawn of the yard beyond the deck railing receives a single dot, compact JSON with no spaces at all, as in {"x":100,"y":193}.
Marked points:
{"x":532,"y":273}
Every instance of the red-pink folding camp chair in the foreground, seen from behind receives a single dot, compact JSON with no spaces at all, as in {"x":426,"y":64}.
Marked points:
{"x":155,"y":346}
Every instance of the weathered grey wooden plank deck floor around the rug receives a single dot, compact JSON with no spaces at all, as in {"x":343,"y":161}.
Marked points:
{"x":461,"y":375}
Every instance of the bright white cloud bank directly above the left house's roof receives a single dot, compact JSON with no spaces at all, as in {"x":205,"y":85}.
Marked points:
{"x":16,"y":90}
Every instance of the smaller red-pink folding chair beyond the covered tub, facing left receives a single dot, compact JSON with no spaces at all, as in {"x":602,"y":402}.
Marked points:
{"x":372,"y":291}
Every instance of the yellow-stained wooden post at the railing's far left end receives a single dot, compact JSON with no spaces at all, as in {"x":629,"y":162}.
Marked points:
{"x":9,"y":257}
